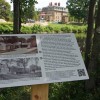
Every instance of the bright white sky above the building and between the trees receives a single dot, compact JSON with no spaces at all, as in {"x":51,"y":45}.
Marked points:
{"x":44,"y":3}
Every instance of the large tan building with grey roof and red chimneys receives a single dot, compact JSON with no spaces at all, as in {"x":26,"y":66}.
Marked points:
{"x":54,"y":13}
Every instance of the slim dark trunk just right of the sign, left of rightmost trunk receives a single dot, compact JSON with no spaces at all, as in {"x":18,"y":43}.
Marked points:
{"x":89,"y":31}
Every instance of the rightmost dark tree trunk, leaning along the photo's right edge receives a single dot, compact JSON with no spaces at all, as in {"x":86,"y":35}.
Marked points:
{"x":95,"y":54}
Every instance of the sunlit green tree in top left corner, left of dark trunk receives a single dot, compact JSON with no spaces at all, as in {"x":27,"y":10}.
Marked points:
{"x":4,"y":10}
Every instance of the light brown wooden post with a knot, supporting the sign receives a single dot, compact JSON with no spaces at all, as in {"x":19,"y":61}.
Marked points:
{"x":39,"y":92}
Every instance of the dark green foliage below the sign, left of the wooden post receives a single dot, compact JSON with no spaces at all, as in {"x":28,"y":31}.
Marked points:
{"x":16,"y":93}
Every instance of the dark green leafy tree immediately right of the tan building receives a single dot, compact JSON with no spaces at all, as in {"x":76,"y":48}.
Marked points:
{"x":78,"y":8}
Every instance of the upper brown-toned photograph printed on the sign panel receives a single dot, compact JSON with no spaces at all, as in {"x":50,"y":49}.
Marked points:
{"x":18,"y":45}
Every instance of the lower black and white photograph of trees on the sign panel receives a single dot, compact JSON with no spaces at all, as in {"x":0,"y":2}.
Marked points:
{"x":18,"y":68}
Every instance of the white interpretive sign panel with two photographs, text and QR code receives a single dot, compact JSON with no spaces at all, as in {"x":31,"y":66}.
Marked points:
{"x":39,"y":58}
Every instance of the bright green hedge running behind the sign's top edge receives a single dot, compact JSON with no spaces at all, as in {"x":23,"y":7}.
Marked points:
{"x":8,"y":28}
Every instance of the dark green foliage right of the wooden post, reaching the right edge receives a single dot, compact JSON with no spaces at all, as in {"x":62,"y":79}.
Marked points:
{"x":72,"y":91}
